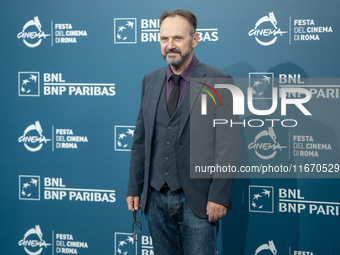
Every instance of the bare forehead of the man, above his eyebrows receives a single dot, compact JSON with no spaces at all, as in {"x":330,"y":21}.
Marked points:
{"x":173,"y":26}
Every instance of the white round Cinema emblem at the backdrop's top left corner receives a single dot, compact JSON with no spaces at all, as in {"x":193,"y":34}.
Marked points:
{"x":32,"y":33}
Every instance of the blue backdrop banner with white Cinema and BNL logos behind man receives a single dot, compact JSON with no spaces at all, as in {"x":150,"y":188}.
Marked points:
{"x":71,"y":74}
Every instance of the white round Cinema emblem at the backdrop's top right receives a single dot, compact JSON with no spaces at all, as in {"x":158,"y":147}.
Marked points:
{"x":266,"y":30}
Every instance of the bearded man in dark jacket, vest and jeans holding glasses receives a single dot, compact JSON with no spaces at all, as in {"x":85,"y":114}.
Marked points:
{"x":182,"y":212}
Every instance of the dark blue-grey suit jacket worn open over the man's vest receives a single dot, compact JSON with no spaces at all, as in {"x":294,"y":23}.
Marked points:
{"x":208,"y":145}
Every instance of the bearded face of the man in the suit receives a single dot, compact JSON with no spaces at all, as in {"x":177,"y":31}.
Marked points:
{"x":176,"y":40}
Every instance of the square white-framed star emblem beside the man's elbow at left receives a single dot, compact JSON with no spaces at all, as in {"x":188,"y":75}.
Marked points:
{"x":123,"y":137}
